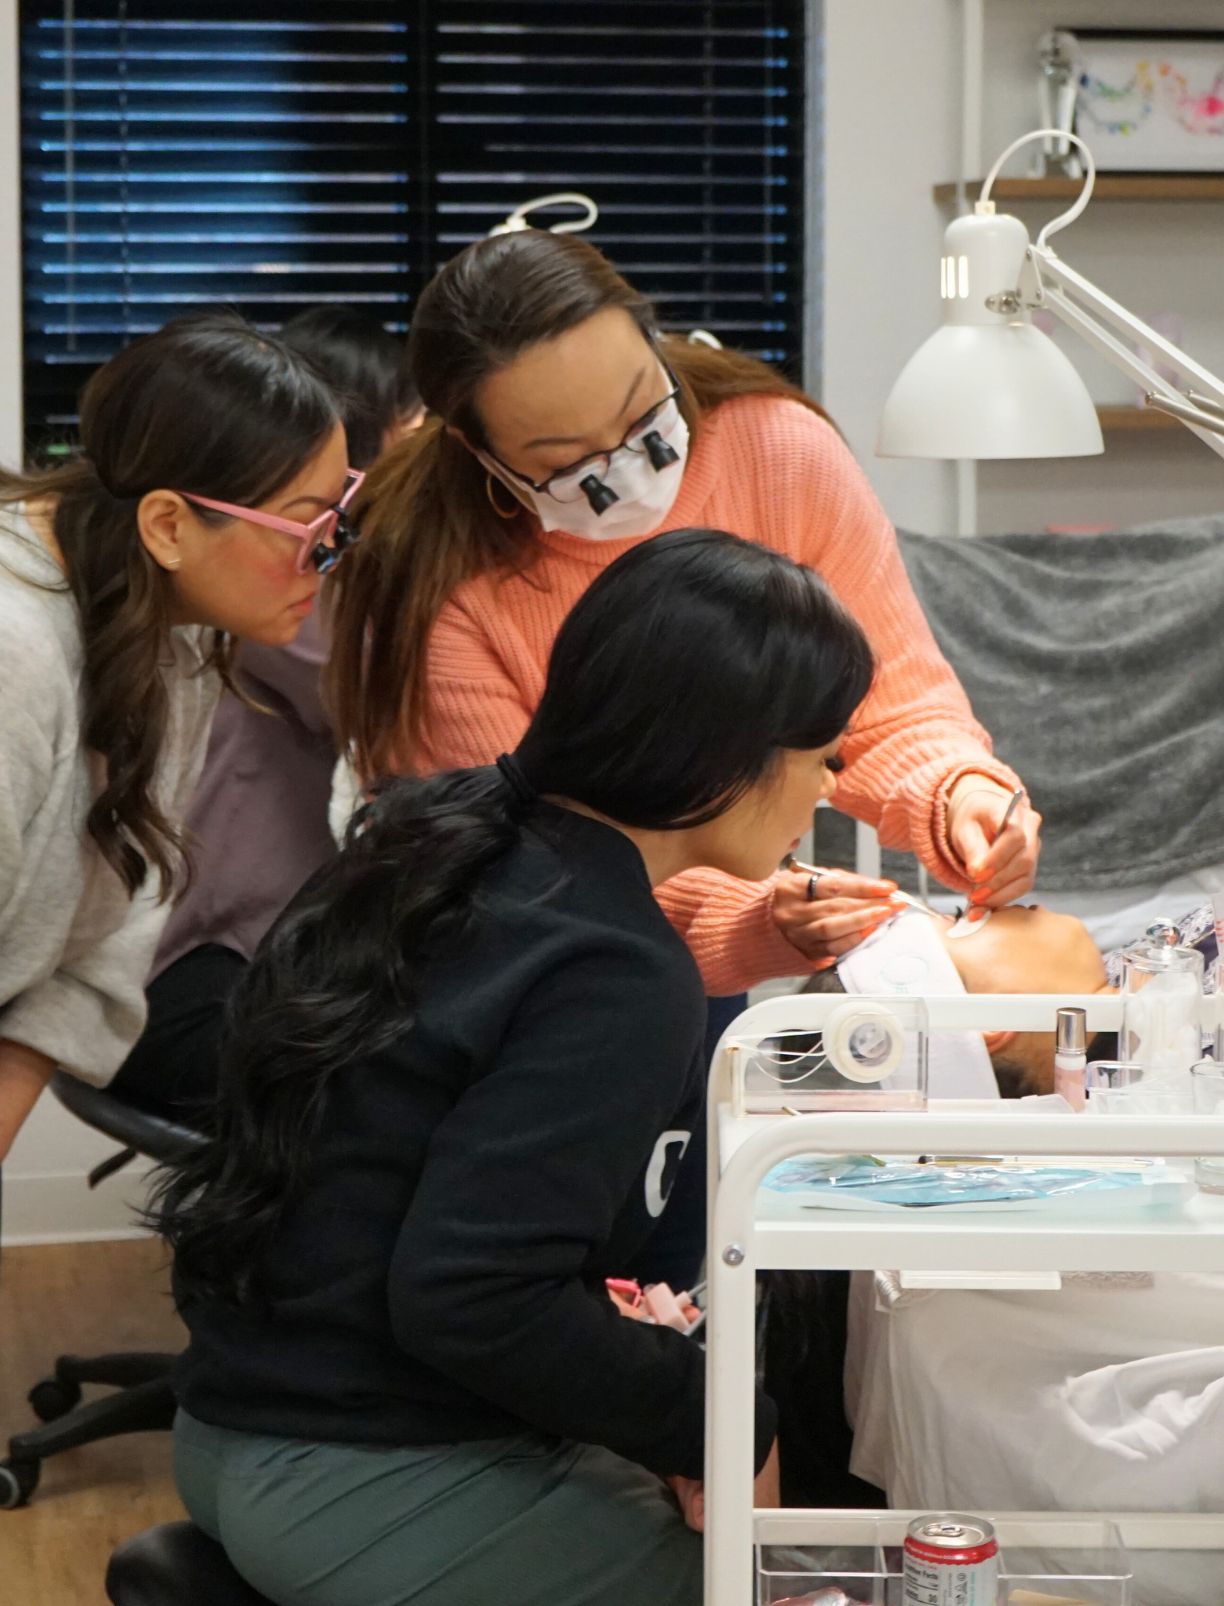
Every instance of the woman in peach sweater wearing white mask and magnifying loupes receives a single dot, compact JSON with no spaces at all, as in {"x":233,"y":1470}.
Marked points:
{"x":565,"y":430}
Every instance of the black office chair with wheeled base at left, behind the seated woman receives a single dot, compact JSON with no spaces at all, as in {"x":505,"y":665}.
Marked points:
{"x":144,"y":1400}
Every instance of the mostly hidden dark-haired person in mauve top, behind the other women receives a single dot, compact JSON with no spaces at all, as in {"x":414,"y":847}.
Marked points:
{"x":259,"y":815}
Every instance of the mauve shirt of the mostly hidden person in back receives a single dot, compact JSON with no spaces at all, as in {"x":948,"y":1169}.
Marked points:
{"x":259,"y":815}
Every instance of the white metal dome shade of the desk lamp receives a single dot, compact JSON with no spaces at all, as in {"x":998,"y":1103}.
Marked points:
{"x":989,"y":385}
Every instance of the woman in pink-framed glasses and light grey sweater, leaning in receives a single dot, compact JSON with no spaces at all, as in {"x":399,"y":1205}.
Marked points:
{"x":205,"y":507}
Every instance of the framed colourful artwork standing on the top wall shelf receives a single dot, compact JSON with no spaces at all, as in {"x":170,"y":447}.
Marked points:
{"x":1151,"y":102}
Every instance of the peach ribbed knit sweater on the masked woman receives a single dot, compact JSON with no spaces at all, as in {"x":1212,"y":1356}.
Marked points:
{"x":773,"y":471}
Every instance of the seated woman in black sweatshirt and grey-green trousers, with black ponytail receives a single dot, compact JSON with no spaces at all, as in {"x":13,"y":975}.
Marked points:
{"x":460,"y":1075}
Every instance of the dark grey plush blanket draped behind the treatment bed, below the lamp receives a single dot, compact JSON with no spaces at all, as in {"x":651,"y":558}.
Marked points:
{"x":1098,"y":666}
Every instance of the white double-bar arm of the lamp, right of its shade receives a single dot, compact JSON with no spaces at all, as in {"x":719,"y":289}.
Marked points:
{"x":1100,"y":320}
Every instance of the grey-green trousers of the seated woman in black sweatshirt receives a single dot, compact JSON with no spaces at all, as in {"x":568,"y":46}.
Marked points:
{"x":496,"y":1523}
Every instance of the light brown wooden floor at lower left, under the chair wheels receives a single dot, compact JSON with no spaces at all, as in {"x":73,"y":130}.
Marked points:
{"x":81,"y":1298}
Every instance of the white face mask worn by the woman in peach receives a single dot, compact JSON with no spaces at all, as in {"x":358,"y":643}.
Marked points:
{"x":645,"y":495}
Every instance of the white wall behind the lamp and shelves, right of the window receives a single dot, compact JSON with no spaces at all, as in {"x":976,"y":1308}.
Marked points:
{"x":892,"y":131}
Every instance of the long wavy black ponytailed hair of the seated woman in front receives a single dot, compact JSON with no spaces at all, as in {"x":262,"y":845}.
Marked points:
{"x":674,"y":687}
